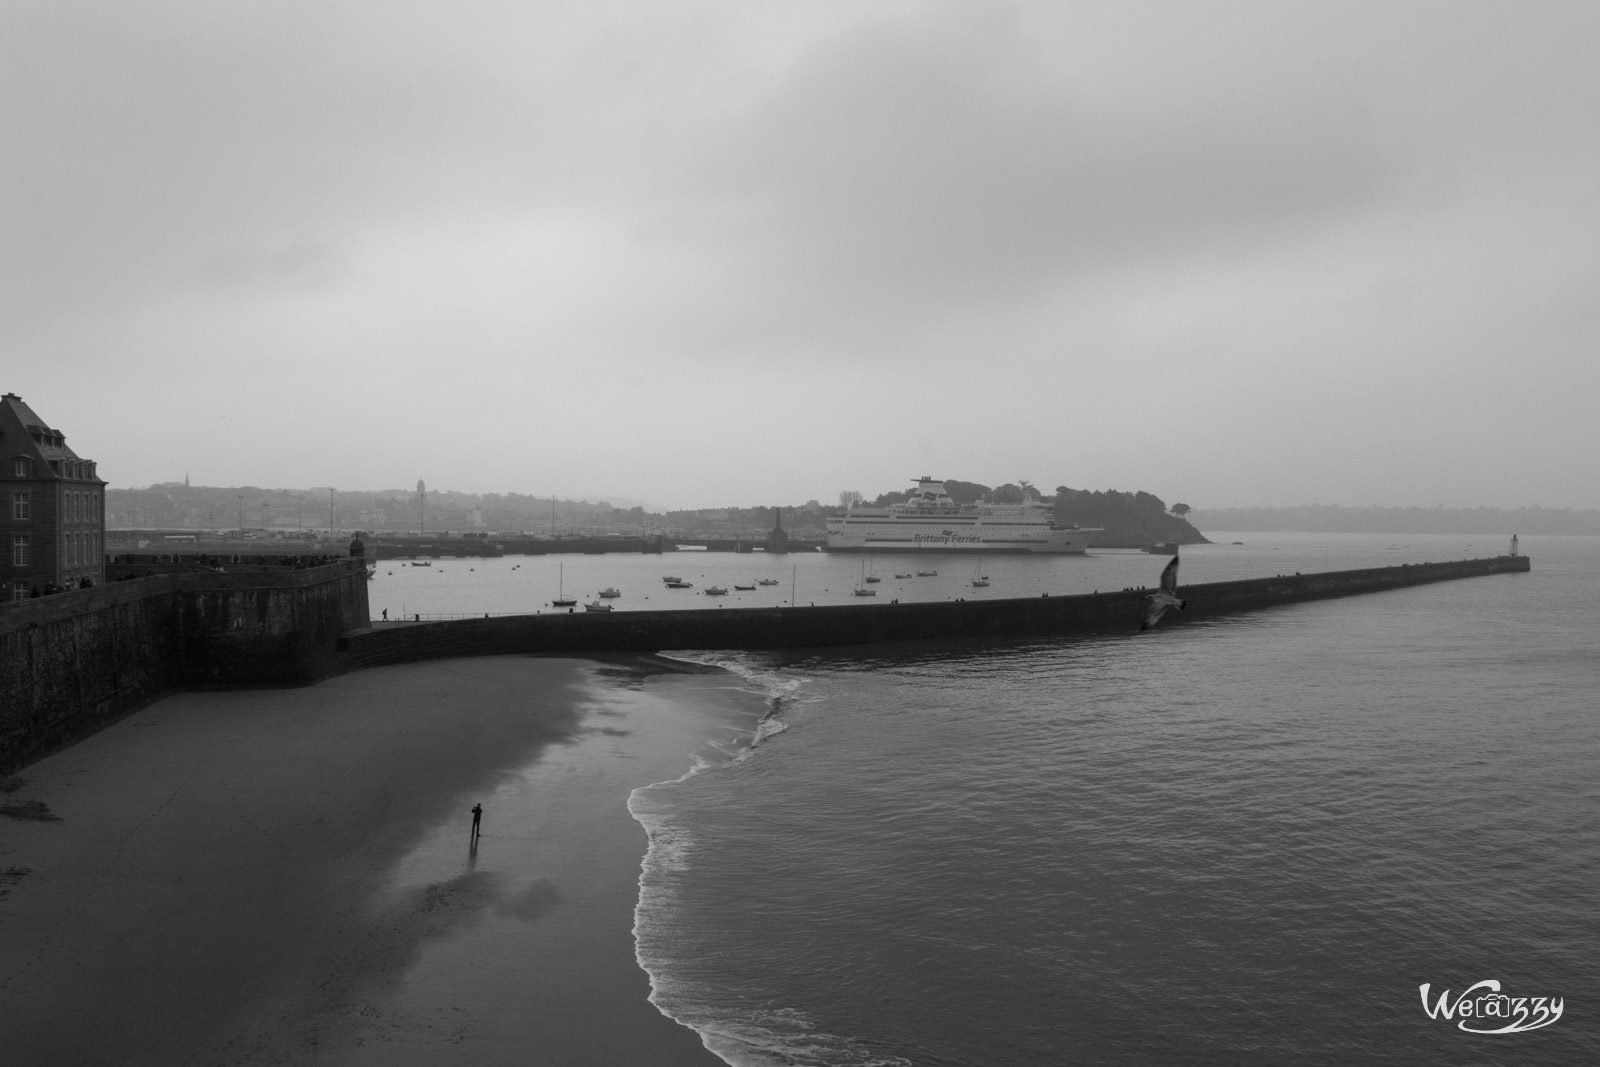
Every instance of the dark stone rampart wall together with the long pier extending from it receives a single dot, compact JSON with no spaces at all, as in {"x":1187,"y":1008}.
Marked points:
{"x":79,"y":661}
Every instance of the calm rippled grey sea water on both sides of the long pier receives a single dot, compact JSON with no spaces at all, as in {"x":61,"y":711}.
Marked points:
{"x":1246,"y":842}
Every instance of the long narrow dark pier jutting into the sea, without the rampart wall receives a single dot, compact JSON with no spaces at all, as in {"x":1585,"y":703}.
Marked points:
{"x":865,"y":625}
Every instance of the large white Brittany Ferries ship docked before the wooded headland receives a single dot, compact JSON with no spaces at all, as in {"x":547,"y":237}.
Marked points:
{"x":932,"y":522}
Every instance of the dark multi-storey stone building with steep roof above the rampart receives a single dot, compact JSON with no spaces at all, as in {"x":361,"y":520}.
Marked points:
{"x":52,"y":510}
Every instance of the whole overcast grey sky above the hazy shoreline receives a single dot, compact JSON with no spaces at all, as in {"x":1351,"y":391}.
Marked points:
{"x":703,"y":254}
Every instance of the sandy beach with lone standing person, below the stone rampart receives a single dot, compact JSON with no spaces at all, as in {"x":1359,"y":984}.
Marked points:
{"x":287,"y":877}
